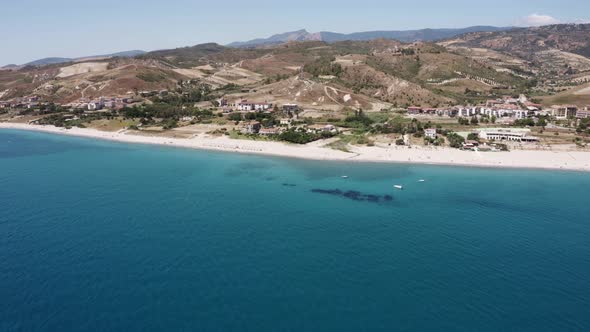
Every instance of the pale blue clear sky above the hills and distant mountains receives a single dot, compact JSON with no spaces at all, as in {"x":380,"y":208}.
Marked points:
{"x":34,"y":29}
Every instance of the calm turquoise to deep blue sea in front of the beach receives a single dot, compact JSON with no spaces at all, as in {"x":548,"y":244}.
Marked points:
{"x":100,"y":236}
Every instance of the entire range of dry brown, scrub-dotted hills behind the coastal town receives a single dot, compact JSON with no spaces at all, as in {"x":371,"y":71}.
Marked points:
{"x":321,"y":75}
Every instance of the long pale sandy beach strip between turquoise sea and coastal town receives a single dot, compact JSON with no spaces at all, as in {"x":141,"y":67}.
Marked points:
{"x":555,"y":160}
